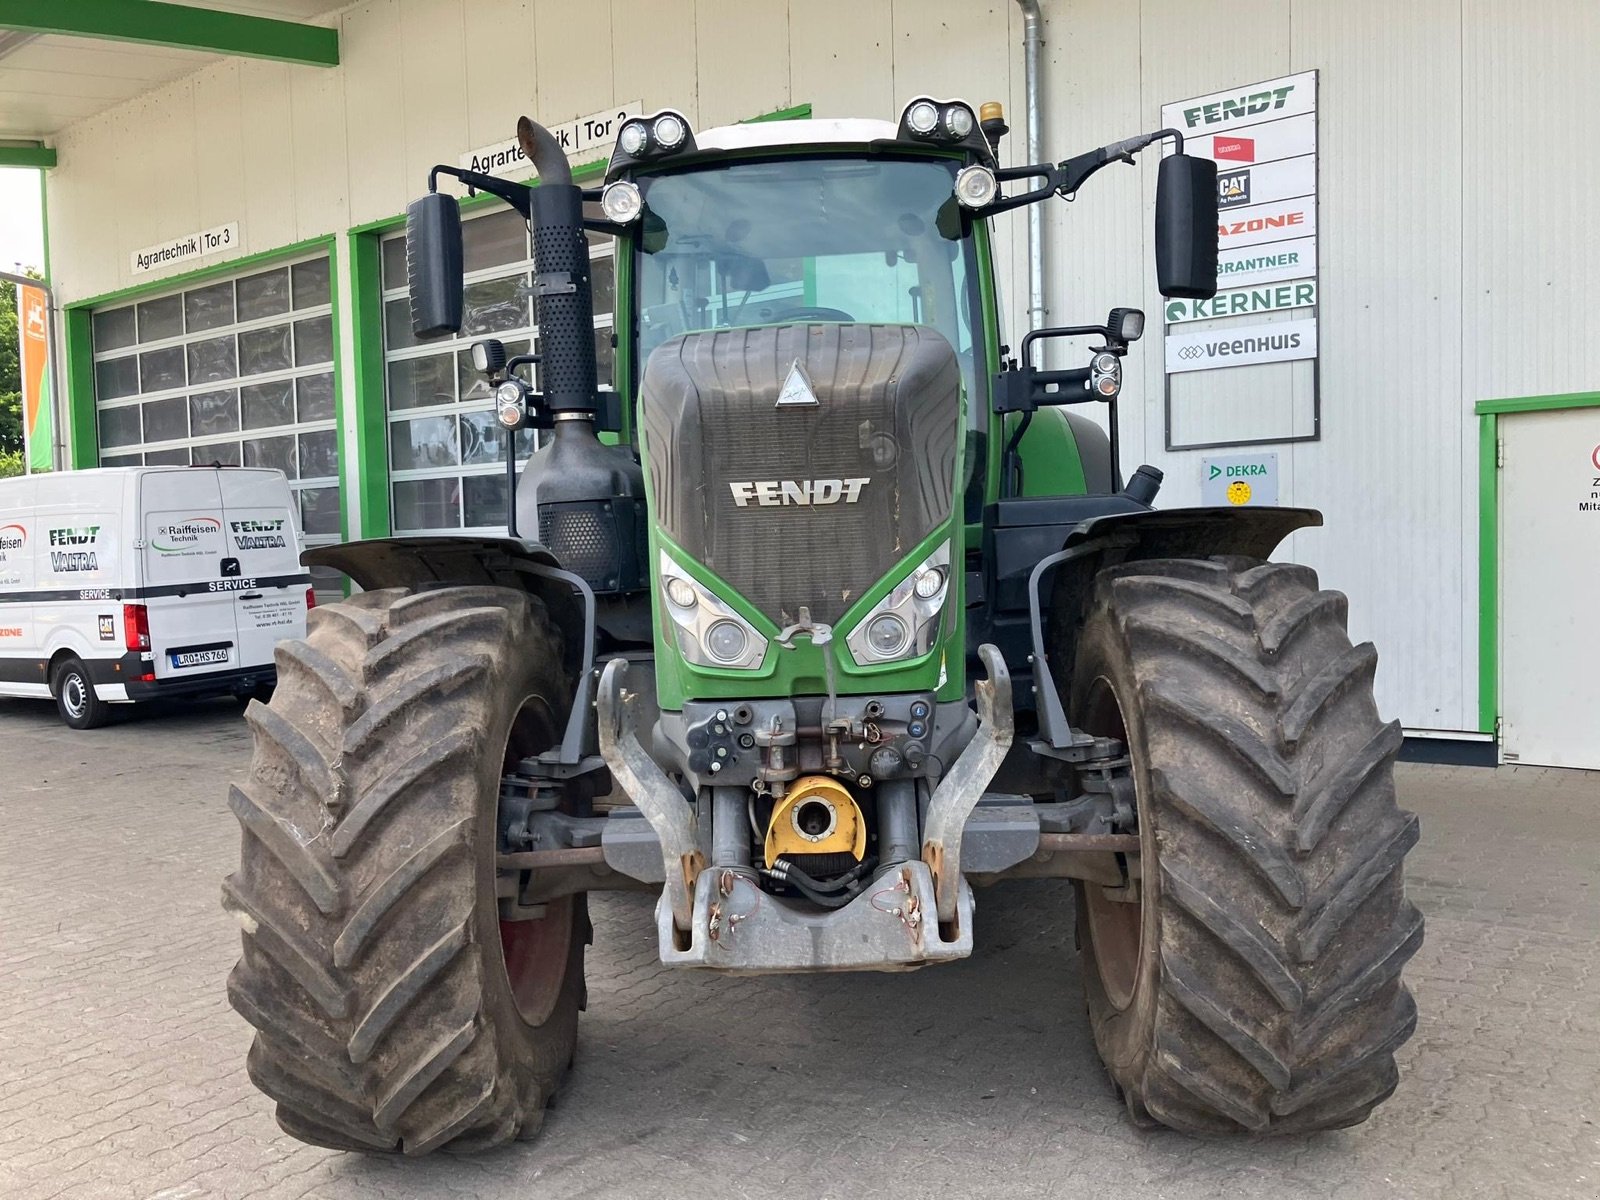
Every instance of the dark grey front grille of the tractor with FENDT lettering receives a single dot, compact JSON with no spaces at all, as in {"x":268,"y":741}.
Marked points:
{"x":887,"y":418}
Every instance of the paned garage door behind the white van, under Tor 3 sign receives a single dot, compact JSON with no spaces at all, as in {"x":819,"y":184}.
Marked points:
{"x":236,"y":372}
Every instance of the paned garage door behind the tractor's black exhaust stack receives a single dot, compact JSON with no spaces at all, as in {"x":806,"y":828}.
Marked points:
{"x":447,"y":454}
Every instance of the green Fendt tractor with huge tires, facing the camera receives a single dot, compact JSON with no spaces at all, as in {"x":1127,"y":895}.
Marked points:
{"x":831,"y":614}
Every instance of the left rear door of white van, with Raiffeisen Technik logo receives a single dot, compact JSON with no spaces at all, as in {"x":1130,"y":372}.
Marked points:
{"x":193,"y":630}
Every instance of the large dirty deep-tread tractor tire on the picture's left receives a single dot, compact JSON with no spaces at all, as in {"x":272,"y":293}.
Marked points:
{"x":372,"y":966}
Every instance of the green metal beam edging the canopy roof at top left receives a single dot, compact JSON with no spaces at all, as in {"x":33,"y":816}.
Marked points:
{"x":180,"y":26}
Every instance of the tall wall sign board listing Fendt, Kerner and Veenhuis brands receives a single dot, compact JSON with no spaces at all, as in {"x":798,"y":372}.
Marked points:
{"x":1263,"y":140}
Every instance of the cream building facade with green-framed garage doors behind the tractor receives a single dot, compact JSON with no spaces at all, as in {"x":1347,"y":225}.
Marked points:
{"x":1449,"y":207}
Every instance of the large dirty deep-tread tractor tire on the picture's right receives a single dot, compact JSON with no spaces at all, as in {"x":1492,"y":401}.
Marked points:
{"x":1254,"y":982}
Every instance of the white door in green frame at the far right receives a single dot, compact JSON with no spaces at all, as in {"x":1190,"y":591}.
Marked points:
{"x":1550,"y":570}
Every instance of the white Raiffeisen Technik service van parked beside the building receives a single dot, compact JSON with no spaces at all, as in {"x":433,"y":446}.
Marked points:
{"x":140,"y":583}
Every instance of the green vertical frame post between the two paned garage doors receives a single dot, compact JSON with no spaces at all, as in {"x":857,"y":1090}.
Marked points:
{"x":370,"y":436}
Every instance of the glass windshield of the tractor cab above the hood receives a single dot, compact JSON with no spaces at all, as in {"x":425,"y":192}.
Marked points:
{"x":826,"y":239}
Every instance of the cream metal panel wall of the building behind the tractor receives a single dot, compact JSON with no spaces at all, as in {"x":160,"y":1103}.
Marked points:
{"x":1457,"y":180}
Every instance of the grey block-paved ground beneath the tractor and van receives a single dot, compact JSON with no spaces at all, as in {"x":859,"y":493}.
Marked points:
{"x":122,"y":1068}
